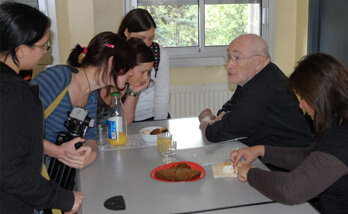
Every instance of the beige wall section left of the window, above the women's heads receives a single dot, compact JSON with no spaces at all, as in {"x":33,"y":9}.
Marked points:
{"x":79,"y":20}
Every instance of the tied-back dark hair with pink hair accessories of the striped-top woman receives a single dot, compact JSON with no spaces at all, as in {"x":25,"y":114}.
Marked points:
{"x":99,"y":50}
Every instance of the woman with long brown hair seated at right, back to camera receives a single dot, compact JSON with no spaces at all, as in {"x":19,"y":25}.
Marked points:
{"x":321,"y":81}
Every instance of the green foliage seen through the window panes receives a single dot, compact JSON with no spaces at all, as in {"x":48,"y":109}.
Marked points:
{"x":178,"y":25}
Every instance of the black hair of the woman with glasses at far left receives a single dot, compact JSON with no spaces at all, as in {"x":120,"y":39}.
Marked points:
{"x":20,"y":24}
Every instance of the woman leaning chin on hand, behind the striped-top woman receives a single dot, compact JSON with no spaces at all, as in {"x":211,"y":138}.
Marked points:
{"x":138,"y":80}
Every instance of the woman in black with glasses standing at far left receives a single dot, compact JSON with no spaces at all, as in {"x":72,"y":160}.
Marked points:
{"x":24,"y":40}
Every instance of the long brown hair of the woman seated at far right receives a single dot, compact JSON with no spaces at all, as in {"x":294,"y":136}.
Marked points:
{"x":322,"y":81}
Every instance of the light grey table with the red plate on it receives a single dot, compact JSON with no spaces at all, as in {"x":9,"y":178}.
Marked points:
{"x":126,"y":172}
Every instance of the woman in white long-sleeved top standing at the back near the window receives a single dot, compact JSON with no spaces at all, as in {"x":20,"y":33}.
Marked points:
{"x":153,"y":101}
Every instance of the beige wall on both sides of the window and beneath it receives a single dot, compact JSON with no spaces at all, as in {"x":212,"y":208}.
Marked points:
{"x":76,"y":25}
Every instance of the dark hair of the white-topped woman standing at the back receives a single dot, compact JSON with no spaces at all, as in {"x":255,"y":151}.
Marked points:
{"x":136,"y":20}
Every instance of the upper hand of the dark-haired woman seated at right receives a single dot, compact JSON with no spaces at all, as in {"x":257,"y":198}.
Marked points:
{"x":250,"y":154}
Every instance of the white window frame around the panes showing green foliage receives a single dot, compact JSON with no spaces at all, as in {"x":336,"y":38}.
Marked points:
{"x":213,"y":56}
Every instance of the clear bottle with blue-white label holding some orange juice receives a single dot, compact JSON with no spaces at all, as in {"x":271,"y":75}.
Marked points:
{"x":117,"y":122}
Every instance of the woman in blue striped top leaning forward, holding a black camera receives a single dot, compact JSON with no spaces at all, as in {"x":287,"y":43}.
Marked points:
{"x":104,"y":62}
